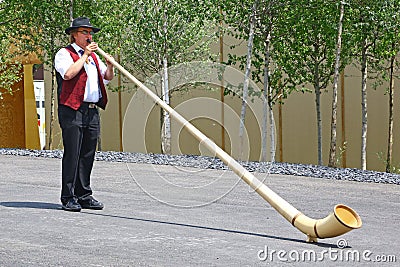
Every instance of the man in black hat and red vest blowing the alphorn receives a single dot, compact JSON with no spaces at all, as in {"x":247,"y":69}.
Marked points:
{"x":81,"y":78}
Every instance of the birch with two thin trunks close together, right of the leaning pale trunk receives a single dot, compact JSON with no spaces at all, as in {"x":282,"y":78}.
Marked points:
{"x":271,"y":28}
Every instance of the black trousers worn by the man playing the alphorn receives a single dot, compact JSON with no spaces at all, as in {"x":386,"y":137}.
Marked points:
{"x":80,"y":132}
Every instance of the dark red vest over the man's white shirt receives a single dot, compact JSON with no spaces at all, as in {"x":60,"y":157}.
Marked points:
{"x":72,"y":91}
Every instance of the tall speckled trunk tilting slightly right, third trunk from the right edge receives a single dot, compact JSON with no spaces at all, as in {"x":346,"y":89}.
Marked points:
{"x":332,"y":152}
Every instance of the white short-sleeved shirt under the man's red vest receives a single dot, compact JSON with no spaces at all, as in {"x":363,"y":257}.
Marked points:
{"x":63,"y":61}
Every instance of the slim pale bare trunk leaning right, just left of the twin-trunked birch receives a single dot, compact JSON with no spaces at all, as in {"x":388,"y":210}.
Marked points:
{"x":246,"y":78}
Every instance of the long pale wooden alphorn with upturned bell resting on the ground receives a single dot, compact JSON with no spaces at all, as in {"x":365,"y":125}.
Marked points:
{"x":342,"y":220}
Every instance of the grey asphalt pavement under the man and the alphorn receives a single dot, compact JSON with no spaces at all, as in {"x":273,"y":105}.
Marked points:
{"x":169,"y":216}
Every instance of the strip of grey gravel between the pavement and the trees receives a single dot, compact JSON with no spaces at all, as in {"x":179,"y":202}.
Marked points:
{"x":350,"y":174}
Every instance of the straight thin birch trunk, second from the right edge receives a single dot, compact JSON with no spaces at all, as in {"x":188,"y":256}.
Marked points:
{"x":364,"y":72}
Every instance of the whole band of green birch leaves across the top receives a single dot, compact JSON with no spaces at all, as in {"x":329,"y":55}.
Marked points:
{"x":302,"y":33}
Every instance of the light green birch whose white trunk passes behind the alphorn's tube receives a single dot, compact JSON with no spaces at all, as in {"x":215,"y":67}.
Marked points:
{"x":152,"y":45}
